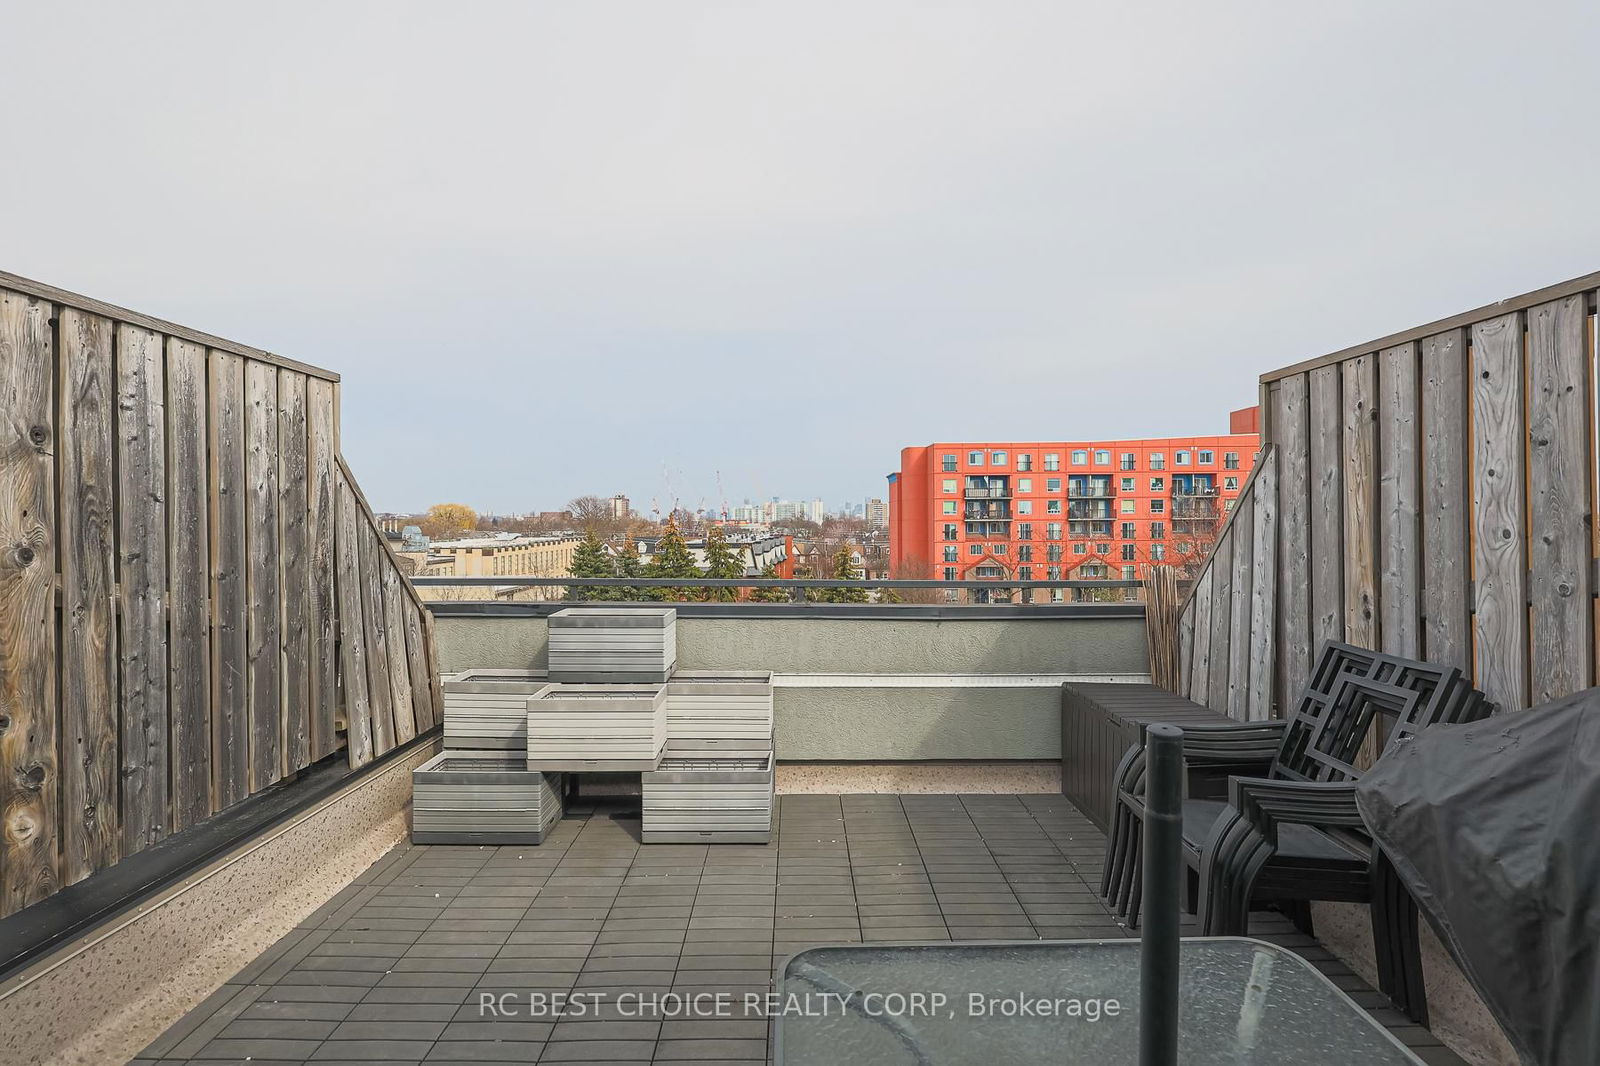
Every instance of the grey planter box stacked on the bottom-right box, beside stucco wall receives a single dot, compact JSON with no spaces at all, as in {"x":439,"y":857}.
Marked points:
{"x":729,"y":715}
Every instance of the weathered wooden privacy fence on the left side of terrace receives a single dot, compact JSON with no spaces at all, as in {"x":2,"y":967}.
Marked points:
{"x":196,"y":601}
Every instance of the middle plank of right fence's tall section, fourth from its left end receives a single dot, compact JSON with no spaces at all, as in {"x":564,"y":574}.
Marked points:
{"x":1399,"y":502}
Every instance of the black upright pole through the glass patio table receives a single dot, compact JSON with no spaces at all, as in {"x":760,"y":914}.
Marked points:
{"x":1164,"y":824}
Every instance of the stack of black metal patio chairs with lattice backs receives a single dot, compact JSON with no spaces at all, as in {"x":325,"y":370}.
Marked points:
{"x":1289,"y":828}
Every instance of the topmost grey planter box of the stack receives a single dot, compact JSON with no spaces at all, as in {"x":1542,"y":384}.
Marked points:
{"x":614,"y":644}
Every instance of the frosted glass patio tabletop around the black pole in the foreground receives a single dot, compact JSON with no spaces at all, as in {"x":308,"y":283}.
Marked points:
{"x":1242,"y":1003}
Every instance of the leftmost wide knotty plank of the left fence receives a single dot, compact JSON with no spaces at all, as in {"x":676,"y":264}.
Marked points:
{"x":30,"y":790}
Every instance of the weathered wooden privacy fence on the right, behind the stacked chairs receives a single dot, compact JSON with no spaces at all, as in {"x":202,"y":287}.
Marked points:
{"x":1436,"y":495}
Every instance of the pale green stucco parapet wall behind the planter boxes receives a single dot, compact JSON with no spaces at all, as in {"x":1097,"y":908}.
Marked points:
{"x":972,"y":694}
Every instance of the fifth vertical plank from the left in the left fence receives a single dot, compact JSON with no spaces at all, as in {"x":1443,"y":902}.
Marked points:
{"x":230,"y":598}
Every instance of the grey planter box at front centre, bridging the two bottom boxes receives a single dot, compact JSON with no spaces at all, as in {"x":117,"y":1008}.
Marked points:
{"x":598,"y":727}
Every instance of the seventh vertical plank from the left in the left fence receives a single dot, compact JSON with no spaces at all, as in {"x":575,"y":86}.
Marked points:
{"x":295,"y":569}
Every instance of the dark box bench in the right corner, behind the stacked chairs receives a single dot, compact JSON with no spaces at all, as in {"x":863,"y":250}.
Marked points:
{"x":1098,"y":726}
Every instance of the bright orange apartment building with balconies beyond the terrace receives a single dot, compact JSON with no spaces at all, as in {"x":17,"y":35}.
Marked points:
{"x":1047,"y":511}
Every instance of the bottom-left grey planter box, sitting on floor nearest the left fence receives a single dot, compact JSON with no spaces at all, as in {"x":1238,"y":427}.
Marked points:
{"x":482,"y":798}
